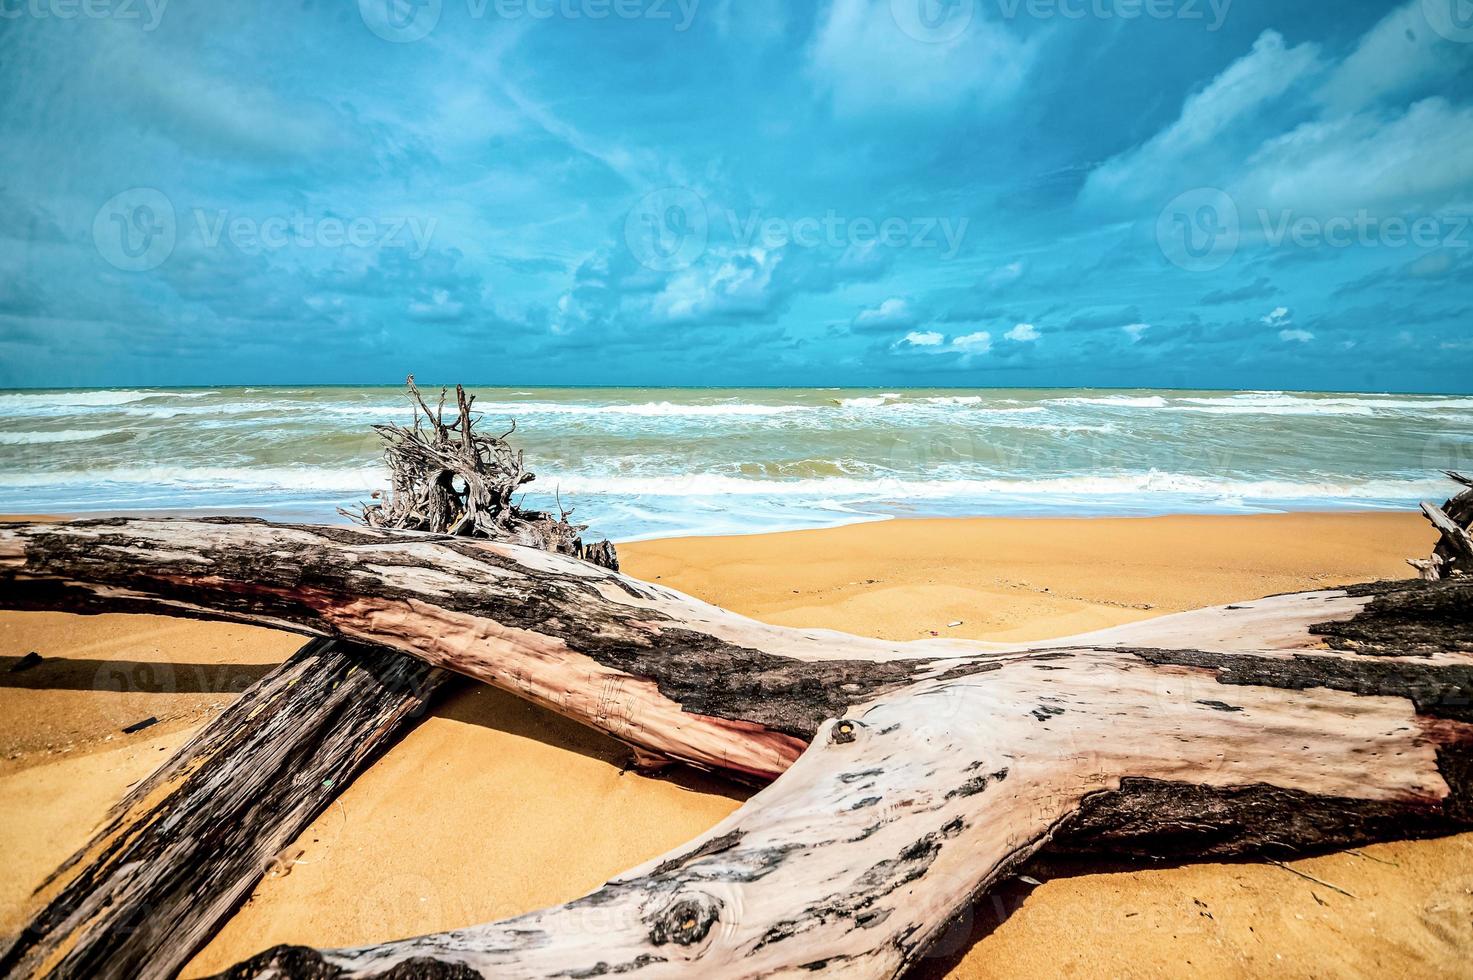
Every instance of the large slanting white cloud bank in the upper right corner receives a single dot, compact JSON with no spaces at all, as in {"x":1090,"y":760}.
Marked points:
{"x":1344,"y":153}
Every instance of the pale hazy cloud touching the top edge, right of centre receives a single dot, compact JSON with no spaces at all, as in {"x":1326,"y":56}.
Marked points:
{"x":867,"y":63}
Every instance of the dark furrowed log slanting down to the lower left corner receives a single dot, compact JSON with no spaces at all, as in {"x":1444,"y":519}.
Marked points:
{"x":180,"y":853}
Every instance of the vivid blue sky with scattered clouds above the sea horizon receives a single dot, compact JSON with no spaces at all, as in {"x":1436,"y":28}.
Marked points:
{"x":1126,"y":194}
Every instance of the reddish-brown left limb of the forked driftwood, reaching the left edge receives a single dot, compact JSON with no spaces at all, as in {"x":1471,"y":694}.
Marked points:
{"x":662,"y":671}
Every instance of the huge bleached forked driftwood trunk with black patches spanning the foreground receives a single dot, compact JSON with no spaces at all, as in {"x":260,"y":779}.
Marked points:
{"x":914,"y":776}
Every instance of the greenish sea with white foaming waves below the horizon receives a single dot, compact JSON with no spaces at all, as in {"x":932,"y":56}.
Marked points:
{"x":661,"y":462}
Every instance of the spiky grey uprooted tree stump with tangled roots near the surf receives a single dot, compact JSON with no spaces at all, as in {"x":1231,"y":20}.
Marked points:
{"x":447,"y":478}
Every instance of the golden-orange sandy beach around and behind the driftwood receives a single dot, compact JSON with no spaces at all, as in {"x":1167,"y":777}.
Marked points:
{"x":490,"y":807}
